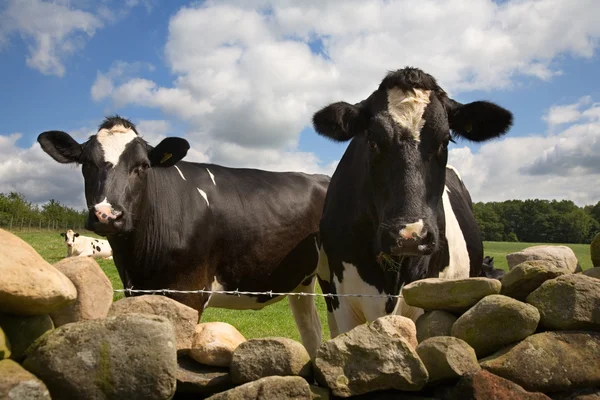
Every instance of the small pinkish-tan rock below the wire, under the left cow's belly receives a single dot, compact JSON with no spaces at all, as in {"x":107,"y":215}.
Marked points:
{"x":213,"y":343}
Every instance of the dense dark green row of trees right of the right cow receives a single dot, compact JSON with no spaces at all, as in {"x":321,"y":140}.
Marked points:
{"x":541,"y":221}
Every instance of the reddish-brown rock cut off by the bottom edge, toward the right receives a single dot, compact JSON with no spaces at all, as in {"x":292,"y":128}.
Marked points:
{"x":484,"y":386}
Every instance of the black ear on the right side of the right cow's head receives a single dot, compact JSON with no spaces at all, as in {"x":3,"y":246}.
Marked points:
{"x":478,"y":121}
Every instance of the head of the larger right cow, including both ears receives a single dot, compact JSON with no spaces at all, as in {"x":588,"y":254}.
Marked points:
{"x":401,"y":134}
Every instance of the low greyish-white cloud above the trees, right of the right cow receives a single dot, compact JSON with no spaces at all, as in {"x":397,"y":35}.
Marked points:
{"x":563,"y":165}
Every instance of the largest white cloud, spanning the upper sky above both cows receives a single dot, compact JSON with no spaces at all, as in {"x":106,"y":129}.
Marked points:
{"x":250,"y":74}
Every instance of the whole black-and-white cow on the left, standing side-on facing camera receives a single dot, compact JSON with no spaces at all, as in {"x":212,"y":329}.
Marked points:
{"x":182,"y":225}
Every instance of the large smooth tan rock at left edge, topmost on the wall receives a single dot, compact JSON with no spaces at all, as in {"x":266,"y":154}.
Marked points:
{"x":29,"y":285}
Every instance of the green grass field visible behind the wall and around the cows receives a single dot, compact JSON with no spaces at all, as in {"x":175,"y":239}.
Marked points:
{"x":274,"y":320}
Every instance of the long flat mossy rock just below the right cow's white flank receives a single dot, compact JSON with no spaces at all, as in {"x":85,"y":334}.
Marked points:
{"x":449,"y":295}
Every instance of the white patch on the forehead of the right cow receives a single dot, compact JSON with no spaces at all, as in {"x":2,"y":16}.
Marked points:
{"x":407,"y":108}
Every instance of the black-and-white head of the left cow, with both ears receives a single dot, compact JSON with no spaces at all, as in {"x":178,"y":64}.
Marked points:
{"x":115,"y":165}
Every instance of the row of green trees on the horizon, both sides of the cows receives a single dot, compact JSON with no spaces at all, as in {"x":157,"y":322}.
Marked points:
{"x":540,"y":221}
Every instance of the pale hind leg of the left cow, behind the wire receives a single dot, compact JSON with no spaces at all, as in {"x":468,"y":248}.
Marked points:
{"x":307,"y":318}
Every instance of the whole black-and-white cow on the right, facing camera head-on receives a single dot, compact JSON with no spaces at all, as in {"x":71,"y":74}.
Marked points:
{"x":394,"y":211}
